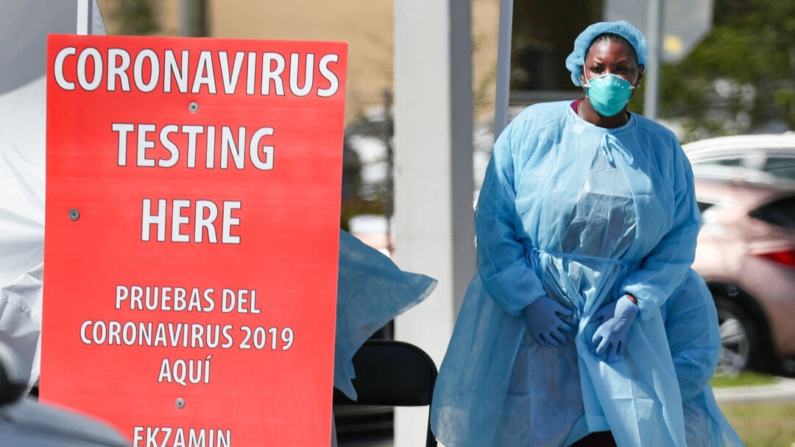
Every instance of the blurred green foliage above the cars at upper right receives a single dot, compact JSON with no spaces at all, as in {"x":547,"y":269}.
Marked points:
{"x":741,"y":76}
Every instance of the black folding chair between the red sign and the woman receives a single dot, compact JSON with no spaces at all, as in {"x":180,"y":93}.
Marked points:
{"x":392,"y":373}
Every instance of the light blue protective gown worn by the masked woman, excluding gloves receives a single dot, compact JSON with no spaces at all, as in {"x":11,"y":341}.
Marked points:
{"x":582,"y":214}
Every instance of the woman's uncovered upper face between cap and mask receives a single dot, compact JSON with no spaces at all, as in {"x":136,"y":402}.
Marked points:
{"x":612,"y":57}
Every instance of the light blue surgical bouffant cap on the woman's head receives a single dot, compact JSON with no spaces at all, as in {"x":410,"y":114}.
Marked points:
{"x":576,"y":59}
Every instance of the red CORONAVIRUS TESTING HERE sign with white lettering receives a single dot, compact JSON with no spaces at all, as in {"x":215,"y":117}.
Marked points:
{"x":193,"y":194}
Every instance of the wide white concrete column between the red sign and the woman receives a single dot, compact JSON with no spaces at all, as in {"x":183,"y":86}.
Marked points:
{"x":433,"y":173}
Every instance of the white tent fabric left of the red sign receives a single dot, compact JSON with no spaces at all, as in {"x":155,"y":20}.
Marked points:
{"x":24,"y":25}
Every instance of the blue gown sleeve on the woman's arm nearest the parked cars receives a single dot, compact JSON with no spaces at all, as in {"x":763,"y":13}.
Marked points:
{"x":664,"y":268}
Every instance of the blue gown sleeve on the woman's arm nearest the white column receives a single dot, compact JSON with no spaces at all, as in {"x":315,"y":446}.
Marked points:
{"x":502,"y":262}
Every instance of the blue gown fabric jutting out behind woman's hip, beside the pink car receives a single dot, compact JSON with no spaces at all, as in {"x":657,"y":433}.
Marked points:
{"x":691,"y":324}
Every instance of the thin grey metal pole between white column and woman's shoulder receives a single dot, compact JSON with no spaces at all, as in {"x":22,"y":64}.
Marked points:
{"x":503,"y":67}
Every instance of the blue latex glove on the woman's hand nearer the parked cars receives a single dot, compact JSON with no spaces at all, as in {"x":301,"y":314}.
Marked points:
{"x":610,"y":339}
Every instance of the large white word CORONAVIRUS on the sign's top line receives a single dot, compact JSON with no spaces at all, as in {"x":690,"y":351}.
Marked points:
{"x":167,"y":72}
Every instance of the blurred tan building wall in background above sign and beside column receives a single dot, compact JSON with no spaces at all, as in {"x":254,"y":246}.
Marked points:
{"x":368,"y":27}
